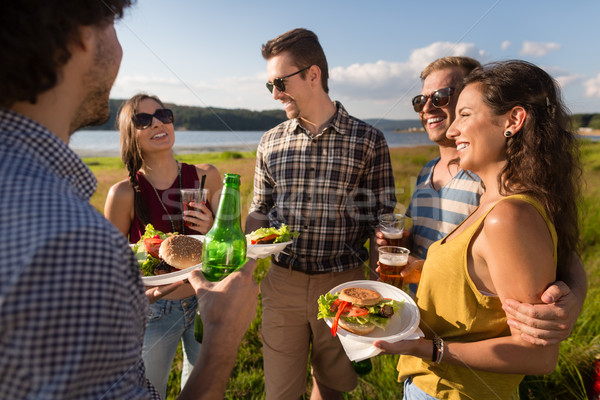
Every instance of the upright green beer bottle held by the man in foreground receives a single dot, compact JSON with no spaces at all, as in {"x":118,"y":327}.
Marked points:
{"x":224,"y":249}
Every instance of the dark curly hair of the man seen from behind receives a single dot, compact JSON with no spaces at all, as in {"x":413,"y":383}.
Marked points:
{"x":35,"y":37}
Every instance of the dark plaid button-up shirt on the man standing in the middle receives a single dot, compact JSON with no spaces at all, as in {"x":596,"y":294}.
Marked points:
{"x":328,"y":188}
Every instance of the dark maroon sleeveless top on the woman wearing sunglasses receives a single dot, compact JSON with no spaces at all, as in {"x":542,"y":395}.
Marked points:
{"x":171,"y":199}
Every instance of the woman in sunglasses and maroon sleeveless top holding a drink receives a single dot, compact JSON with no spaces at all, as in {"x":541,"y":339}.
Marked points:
{"x":151,"y":195}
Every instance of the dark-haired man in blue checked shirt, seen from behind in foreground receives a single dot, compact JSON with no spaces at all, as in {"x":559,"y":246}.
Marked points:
{"x":72,"y":302}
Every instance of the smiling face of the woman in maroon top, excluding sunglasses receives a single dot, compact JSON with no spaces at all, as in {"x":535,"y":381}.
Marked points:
{"x":158,"y":136}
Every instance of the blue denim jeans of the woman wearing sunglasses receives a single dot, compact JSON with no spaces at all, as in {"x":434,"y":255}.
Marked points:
{"x":169,"y":321}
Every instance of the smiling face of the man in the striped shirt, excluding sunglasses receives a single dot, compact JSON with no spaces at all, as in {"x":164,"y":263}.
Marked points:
{"x":436,"y":121}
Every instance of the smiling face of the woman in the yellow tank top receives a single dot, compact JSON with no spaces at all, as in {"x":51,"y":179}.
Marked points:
{"x":478,"y":132}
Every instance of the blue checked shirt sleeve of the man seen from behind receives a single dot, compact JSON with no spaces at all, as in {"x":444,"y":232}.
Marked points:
{"x":73,"y":322}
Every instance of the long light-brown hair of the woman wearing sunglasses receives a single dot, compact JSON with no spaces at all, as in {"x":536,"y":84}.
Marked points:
{"x":131,"y":154}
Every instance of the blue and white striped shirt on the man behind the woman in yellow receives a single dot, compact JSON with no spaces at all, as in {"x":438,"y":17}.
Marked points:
{"x":435,"y":213}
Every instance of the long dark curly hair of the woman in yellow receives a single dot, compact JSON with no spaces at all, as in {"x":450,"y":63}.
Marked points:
{"x":543,"y":157}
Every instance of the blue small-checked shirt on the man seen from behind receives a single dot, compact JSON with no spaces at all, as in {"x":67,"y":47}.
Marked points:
{"x":72,"y":304}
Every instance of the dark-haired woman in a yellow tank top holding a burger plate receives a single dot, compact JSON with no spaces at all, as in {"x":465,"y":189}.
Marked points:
{"x":511,"y":130}
